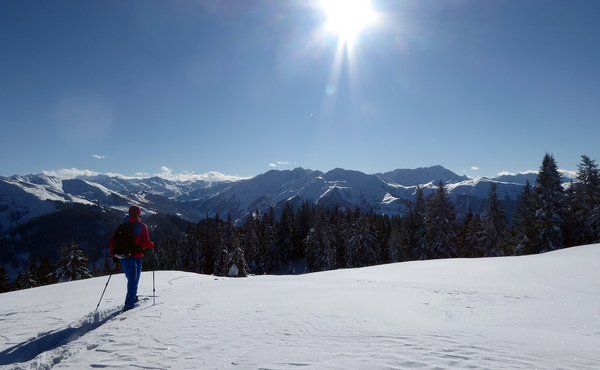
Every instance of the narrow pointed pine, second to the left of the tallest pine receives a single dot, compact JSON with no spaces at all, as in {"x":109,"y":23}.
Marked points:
{"x":495,"y":234}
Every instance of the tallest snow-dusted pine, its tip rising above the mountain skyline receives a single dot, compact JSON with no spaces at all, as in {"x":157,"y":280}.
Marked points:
{"x":550,"y":207}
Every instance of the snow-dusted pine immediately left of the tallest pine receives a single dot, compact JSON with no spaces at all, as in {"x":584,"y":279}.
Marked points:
{"x":525,"y":222}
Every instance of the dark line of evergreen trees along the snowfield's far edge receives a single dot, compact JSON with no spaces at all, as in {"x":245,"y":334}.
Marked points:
{"x":311,"y":238}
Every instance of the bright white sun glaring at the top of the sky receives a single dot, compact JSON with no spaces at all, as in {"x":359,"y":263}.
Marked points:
{"x":347,"y":18}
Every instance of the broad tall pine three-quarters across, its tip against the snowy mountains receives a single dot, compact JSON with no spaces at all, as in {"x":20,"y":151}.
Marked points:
{"x":442,"y":225}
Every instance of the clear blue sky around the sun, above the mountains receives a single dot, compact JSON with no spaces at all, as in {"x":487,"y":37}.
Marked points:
{"x":242,"y":87}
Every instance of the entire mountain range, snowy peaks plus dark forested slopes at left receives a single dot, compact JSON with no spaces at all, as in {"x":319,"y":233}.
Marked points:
{"x":40,"y":213}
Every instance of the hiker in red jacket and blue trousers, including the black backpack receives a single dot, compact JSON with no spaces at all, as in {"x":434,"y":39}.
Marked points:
{"x":131,"y":255}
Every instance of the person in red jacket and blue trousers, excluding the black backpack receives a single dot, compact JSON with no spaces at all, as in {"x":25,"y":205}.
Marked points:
{"x":132,"y":266}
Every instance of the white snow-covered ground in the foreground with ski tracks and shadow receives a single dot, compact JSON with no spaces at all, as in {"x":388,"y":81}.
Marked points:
{"x":504,"y":313}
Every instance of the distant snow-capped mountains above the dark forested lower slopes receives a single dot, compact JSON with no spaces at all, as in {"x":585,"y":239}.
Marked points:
{"x":25,"y":197}
